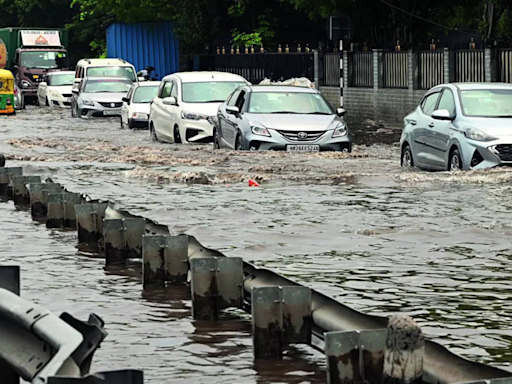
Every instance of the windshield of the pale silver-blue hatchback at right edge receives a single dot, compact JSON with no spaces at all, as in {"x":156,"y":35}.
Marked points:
{"x":487,"y":102}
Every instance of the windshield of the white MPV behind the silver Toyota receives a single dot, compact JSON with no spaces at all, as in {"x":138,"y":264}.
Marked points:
{"x":210,"y":92}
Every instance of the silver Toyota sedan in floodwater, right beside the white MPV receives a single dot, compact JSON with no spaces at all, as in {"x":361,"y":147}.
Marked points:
{"x":294,"y":119}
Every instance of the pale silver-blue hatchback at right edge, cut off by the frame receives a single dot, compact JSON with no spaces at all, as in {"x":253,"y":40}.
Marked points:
{"x":460,"y":127}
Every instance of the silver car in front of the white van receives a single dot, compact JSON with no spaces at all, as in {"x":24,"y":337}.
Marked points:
{"x":99,"y":96}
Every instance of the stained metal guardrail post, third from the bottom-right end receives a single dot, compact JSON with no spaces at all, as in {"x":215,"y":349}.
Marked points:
{"x":217,"y":283}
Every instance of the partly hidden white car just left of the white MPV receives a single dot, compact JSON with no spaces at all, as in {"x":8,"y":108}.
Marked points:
{"x":136,"y":104}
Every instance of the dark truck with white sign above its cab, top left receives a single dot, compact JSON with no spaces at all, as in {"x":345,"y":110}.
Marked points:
{"x":31,"y":54}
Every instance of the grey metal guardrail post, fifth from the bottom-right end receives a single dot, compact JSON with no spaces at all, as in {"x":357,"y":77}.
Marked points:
{"x":123,"y":239}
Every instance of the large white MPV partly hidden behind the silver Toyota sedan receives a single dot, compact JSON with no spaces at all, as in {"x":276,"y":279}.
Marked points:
{"x":185,"y":108}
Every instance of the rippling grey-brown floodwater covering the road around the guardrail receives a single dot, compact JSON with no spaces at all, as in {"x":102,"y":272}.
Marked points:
{"x":382,"y":240}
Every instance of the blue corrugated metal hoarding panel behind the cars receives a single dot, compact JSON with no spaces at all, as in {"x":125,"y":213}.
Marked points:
{"x":143,"y":44}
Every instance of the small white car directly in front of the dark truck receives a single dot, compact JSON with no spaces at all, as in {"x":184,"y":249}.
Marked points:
{"x":55,"y":89}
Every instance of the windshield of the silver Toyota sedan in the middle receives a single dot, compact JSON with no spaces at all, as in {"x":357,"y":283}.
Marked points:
{"x":289,"y":103}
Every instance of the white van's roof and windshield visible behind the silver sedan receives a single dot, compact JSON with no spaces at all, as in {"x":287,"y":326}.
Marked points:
{"x":105,"y":68}
